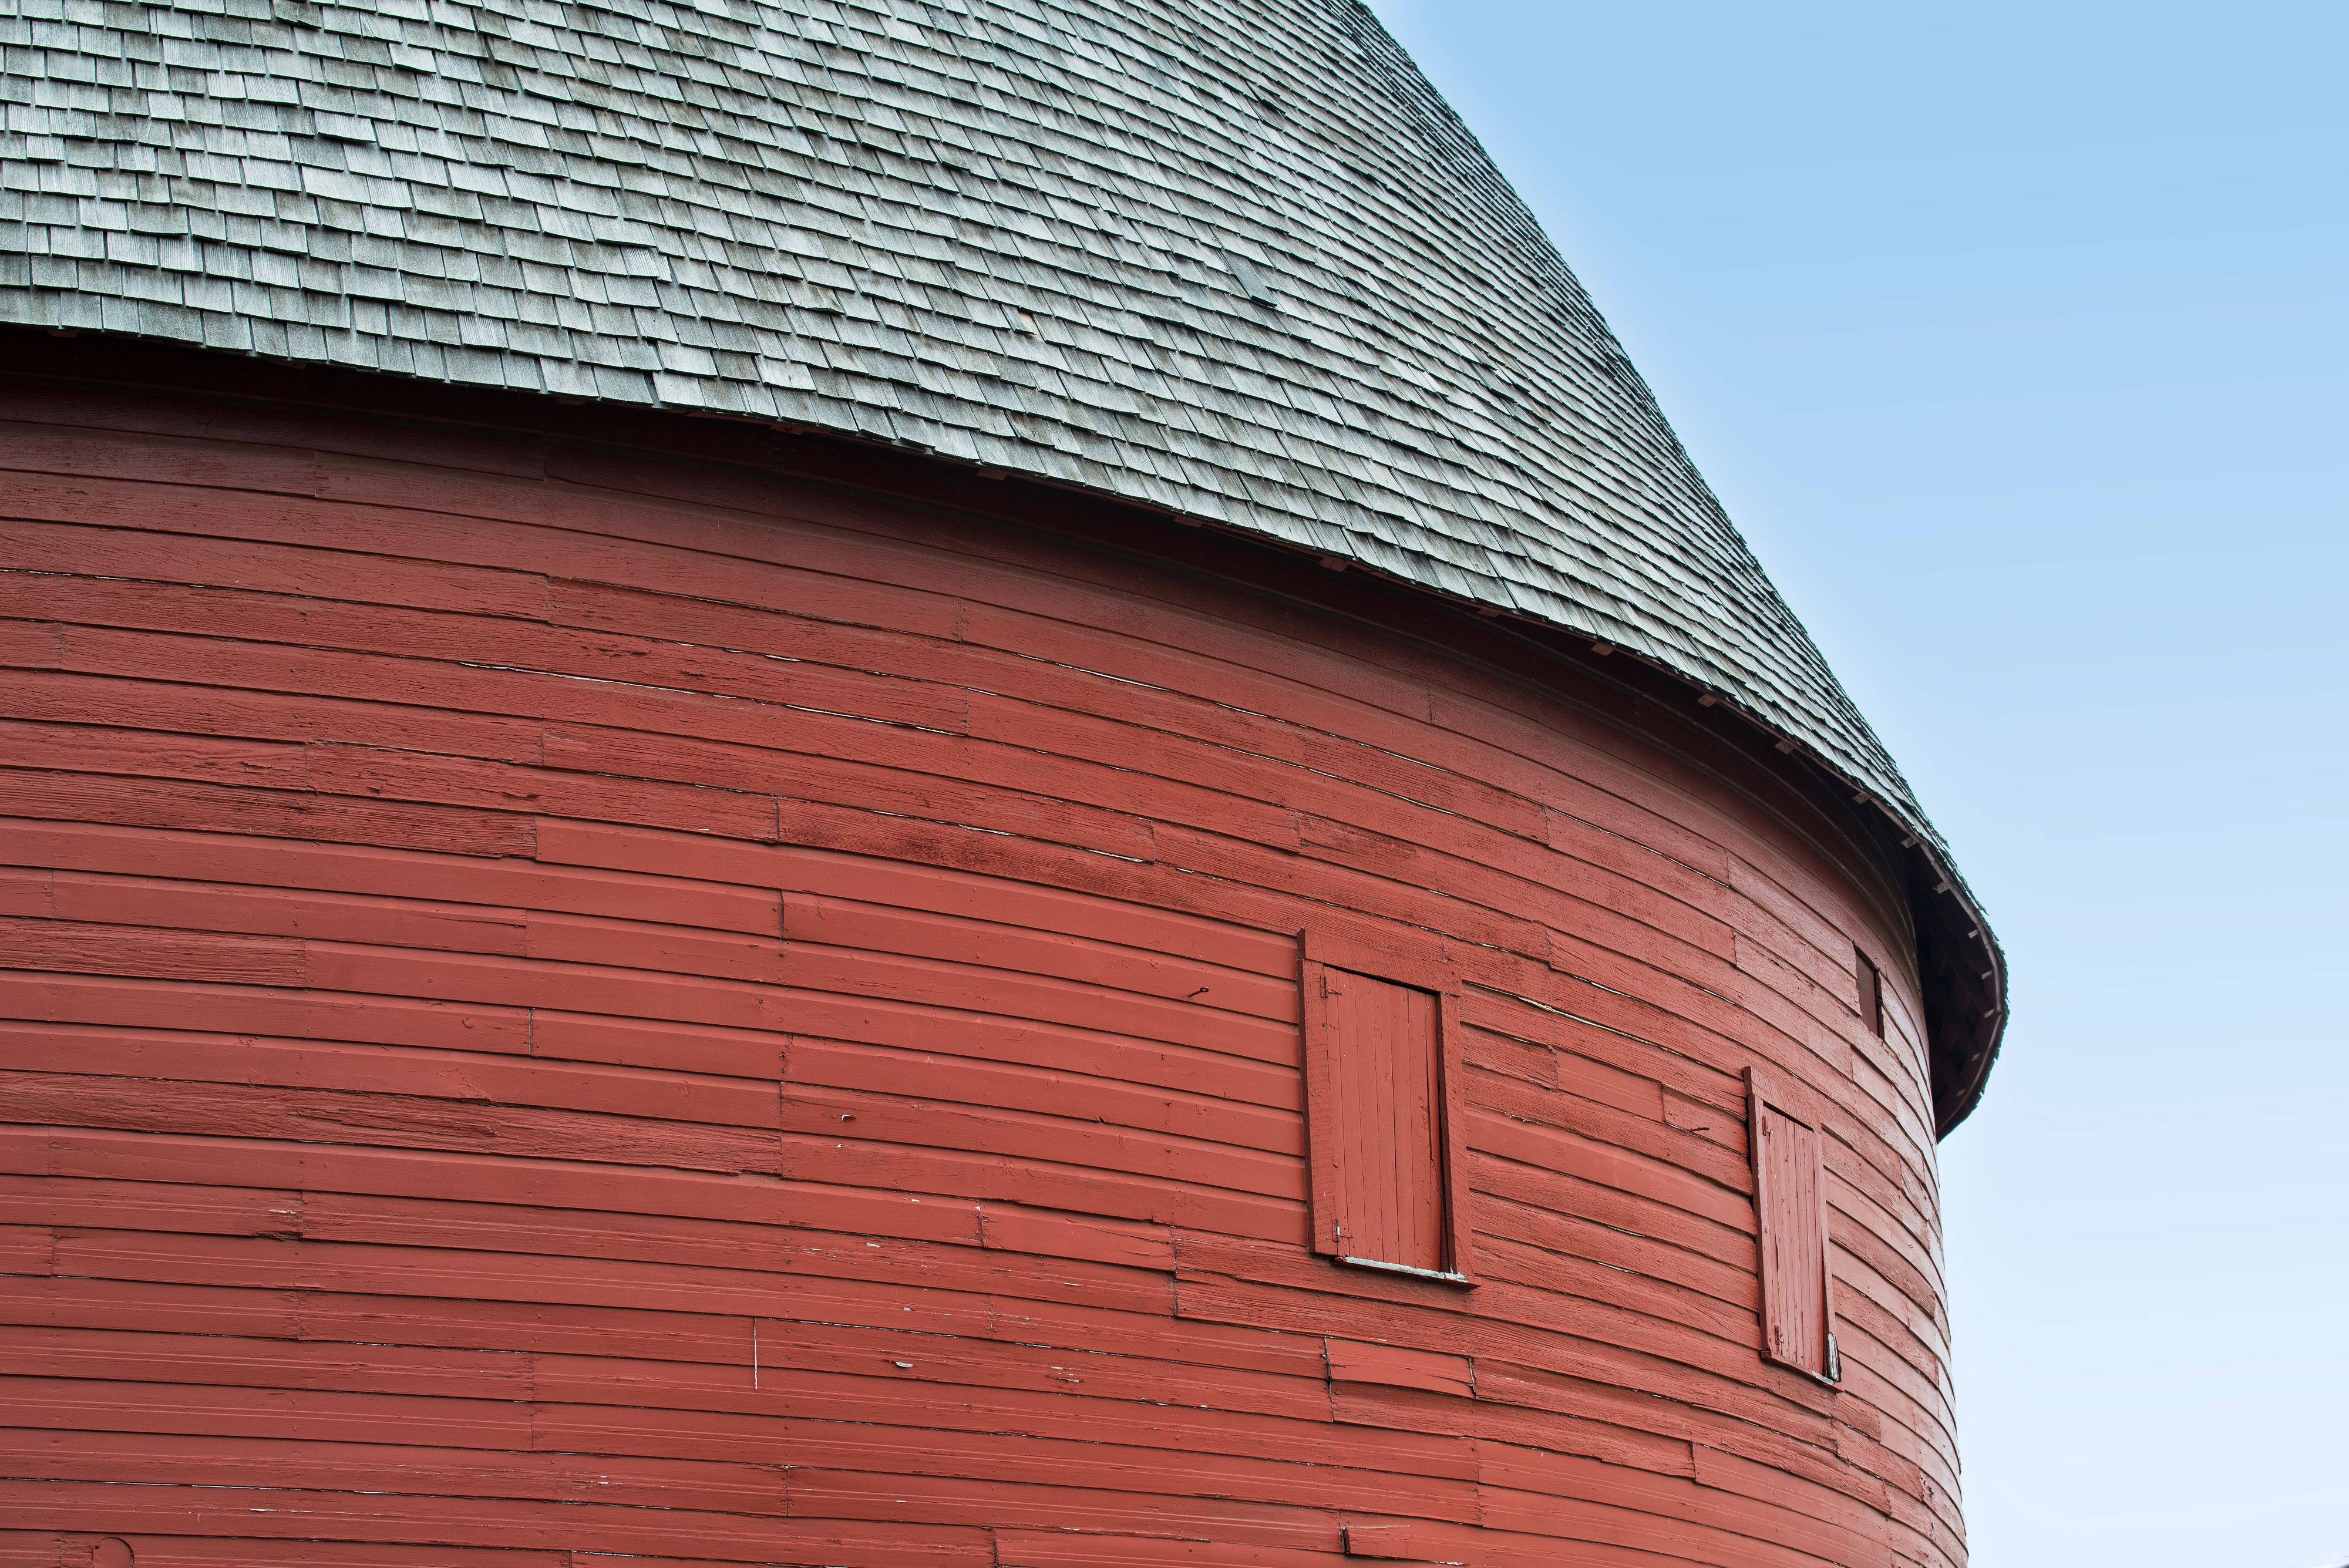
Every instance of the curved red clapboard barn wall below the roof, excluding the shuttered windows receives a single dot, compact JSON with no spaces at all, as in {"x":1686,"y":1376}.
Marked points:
{"x":711,"y":1018}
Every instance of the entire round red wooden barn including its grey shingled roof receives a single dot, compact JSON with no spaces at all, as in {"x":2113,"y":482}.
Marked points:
{"x":903,"y":783}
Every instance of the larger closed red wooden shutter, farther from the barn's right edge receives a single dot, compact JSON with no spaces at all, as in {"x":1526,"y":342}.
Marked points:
{"x":1380,"y":1121}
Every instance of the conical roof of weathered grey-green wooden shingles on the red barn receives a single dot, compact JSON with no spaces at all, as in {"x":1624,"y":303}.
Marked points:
{"x":1225,"y":257}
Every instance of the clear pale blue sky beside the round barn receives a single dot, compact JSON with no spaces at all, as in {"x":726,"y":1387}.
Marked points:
{"x":2017,"y":339}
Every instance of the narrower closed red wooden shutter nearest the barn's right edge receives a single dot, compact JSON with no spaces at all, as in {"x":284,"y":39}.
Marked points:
{"x":1791,"y":1212}
